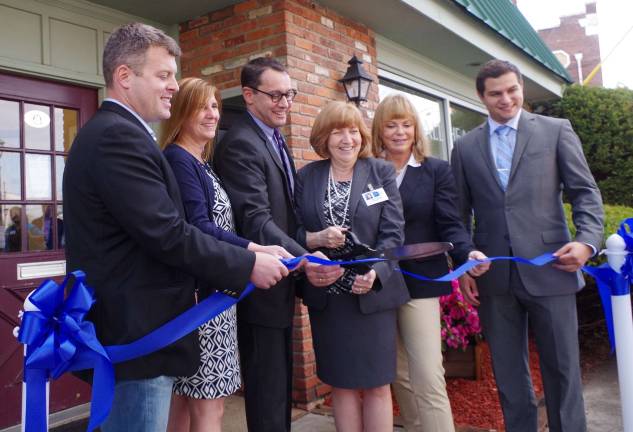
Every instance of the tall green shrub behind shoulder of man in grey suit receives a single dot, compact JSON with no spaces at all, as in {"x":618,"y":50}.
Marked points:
{"x":603,"y":119}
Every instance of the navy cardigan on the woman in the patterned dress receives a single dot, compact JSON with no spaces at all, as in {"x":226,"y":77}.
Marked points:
{"x":198,"y":195}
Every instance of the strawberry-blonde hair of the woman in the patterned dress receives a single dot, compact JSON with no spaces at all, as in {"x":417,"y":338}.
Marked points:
{"x":192,"y":96}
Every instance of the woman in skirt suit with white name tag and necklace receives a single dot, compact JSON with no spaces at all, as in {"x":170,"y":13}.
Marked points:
{"x":353,"y":319}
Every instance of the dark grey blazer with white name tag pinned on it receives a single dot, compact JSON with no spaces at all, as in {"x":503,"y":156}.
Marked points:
{"x":380,"y":226}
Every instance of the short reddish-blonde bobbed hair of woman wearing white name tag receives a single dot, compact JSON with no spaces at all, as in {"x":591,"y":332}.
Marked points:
{"x":337,"y":115}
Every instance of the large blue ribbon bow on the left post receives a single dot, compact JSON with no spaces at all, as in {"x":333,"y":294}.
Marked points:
{"x":58,"y":340}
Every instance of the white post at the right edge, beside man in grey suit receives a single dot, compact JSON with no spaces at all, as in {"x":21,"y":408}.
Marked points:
{"x":623,"y":329}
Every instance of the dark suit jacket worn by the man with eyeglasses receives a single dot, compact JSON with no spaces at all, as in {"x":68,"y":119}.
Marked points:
{"x":254,"y":179}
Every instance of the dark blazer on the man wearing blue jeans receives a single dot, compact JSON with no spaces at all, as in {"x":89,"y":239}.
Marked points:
{"x":125,"y":229}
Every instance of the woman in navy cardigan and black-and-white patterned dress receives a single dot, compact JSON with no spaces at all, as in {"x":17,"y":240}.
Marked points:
{"x":186,"y":139}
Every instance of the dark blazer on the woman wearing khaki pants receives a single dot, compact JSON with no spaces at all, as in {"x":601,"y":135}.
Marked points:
{"x":429,"y":199}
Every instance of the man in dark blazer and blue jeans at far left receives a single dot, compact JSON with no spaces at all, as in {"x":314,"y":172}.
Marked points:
{"x":125,"y":229}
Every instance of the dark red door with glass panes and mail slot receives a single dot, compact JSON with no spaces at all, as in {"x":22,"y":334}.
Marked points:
{"x":38,"y":122}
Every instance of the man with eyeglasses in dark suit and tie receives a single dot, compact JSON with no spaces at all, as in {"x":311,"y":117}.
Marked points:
{"x":258,"y":172}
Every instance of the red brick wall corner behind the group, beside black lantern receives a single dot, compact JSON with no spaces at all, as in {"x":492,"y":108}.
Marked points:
{"x":315,"y":44}
